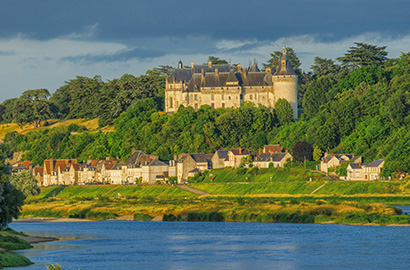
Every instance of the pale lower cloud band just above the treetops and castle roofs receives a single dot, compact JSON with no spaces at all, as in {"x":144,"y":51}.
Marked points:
{"x":27,"y":63}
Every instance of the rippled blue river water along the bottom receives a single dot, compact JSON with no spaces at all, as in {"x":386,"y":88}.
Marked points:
{"x":217,"y":245}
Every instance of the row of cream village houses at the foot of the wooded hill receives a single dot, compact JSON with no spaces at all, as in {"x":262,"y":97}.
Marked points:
{"x":148,"y":169}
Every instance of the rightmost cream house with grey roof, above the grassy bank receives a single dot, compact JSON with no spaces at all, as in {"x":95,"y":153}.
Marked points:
{"x":365,"y":171}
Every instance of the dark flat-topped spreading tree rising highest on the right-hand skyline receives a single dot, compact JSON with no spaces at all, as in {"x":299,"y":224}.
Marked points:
{"x":364,"y":55}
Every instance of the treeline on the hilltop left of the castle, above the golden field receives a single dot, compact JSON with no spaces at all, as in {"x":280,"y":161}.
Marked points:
{"x":85,"y":97}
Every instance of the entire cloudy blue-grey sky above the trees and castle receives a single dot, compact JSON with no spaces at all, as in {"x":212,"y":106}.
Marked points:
{"x":45,"y":43}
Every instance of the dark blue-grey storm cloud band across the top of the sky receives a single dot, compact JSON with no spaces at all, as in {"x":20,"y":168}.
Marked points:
{"x":263,"y":20}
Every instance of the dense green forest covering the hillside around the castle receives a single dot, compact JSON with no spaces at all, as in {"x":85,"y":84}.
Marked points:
{"x":358,"y":103}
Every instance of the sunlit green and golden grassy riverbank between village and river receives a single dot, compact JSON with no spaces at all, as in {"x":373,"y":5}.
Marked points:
{"x":316,"y":201}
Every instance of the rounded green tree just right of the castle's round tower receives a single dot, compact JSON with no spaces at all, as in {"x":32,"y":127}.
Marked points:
{"x":315,"y":95}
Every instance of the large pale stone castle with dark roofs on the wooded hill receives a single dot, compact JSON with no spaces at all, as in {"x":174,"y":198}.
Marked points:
{"x":222,"y":86}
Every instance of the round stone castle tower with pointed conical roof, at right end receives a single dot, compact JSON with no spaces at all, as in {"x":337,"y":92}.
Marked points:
{"x":285,"y":83}
